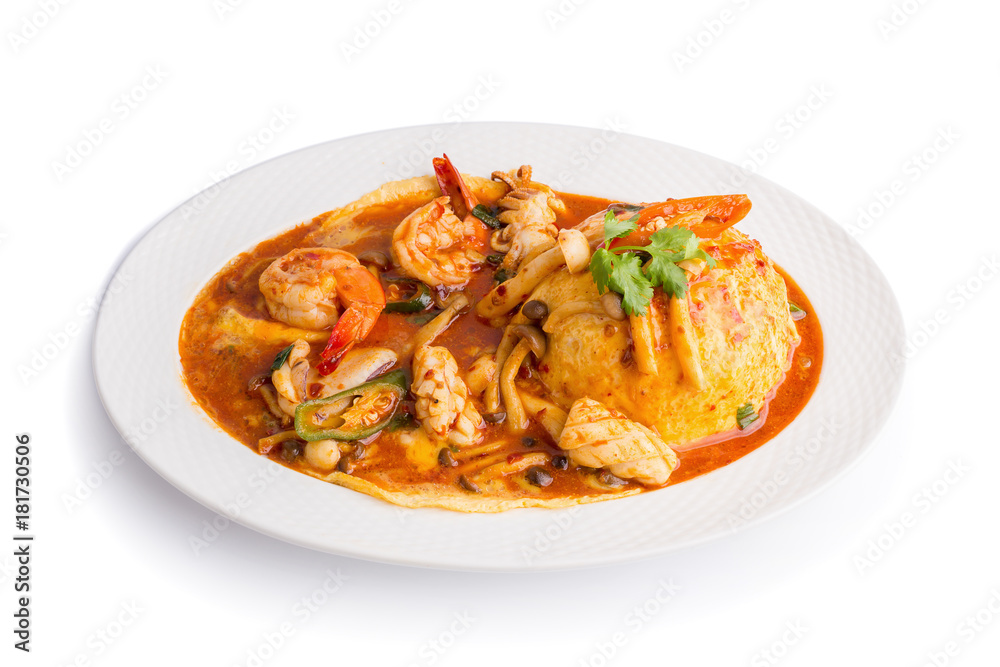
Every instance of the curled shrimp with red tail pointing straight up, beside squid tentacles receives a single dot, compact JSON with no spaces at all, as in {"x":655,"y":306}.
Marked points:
{"x":440,"y":242}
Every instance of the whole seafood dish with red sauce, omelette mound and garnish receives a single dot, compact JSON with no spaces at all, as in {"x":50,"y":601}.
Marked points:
{"x":482,"y":344}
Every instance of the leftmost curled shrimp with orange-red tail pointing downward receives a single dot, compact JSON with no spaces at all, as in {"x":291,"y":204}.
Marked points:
{"x":304,"y":287}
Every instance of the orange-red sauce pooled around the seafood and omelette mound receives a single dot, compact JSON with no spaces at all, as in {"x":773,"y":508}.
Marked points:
{"x":218,"y":377}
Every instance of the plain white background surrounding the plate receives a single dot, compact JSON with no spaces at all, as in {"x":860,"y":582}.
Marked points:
{"x":869,"y":87}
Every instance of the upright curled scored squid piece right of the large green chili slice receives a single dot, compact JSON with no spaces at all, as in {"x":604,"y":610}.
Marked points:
{"x":444,"y":408}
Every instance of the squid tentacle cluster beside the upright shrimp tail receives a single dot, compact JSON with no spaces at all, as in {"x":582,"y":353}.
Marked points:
{"x":529,"y":210}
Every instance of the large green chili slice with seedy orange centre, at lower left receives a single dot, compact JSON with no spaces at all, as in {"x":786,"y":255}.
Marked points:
{"x":375,"y":404}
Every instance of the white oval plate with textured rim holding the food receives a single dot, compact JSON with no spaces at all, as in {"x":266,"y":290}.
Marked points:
{"x":138,"y":370}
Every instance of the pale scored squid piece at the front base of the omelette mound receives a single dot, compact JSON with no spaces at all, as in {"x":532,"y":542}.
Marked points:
{"x":598,"y":437}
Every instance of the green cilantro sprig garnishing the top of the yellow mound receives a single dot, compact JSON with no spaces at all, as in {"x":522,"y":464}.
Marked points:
{"x":626,"y":270}
